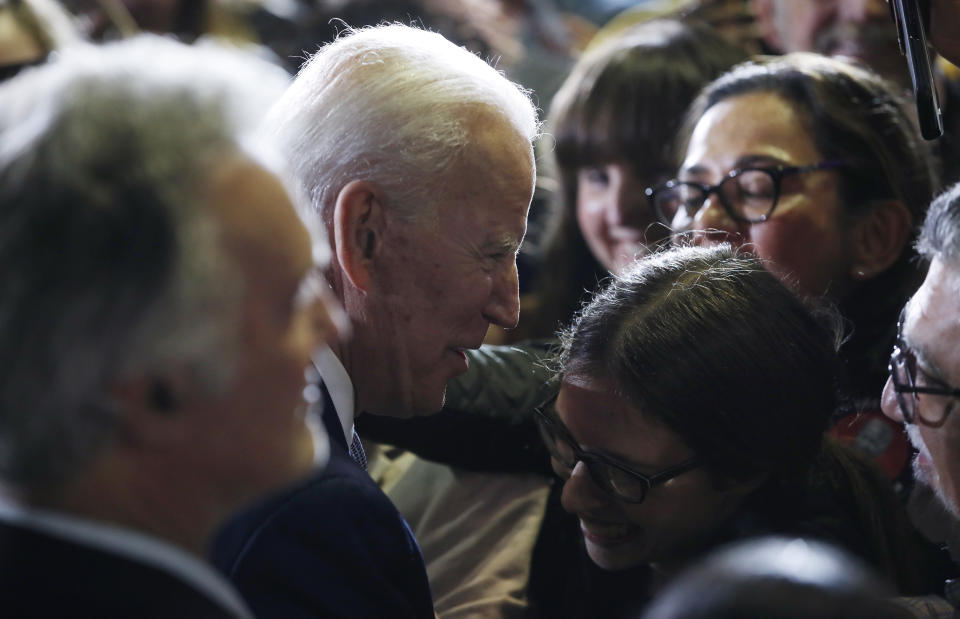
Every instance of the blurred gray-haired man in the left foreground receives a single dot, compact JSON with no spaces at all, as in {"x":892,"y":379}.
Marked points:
{"x":157,"y":313}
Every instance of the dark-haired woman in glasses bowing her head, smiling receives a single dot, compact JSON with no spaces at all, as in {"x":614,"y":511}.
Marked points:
{"x":694,"y":398}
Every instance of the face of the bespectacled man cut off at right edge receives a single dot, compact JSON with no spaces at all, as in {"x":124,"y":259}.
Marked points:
{"x":931,"y":329}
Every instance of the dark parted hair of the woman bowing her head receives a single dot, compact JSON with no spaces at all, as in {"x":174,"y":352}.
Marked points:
{"x":710,"y":344}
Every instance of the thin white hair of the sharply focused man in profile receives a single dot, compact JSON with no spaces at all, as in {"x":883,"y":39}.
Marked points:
{"x":394,"y":105}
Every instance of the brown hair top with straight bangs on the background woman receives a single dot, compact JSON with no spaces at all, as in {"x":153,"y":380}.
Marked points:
{"x":626,"y":97}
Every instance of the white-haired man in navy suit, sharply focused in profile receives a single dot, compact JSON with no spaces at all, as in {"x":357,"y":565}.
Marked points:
{"x":418,"y":159}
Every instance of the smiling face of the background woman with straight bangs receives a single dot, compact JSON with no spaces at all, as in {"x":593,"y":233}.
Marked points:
{"x":614,"y":215}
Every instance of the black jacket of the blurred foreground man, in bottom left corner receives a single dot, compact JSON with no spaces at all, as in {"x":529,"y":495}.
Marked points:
{"x":45,"y":576}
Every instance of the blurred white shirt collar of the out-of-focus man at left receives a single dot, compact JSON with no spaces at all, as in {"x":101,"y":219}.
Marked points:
{"x":131,"y":544}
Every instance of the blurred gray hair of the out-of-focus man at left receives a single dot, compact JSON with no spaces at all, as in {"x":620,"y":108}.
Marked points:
{"x":109,"y":264}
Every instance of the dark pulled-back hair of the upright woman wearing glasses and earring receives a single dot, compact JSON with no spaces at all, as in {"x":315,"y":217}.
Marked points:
{"x":854,"y":116}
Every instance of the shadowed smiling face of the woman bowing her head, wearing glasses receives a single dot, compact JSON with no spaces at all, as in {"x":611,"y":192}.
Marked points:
{"x":676,"y":519}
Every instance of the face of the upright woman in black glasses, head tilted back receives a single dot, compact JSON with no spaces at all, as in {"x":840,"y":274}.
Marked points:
{"x":804,"y":239}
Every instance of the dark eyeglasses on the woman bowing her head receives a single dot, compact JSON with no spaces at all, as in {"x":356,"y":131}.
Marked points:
{"x":553,"y":427}
